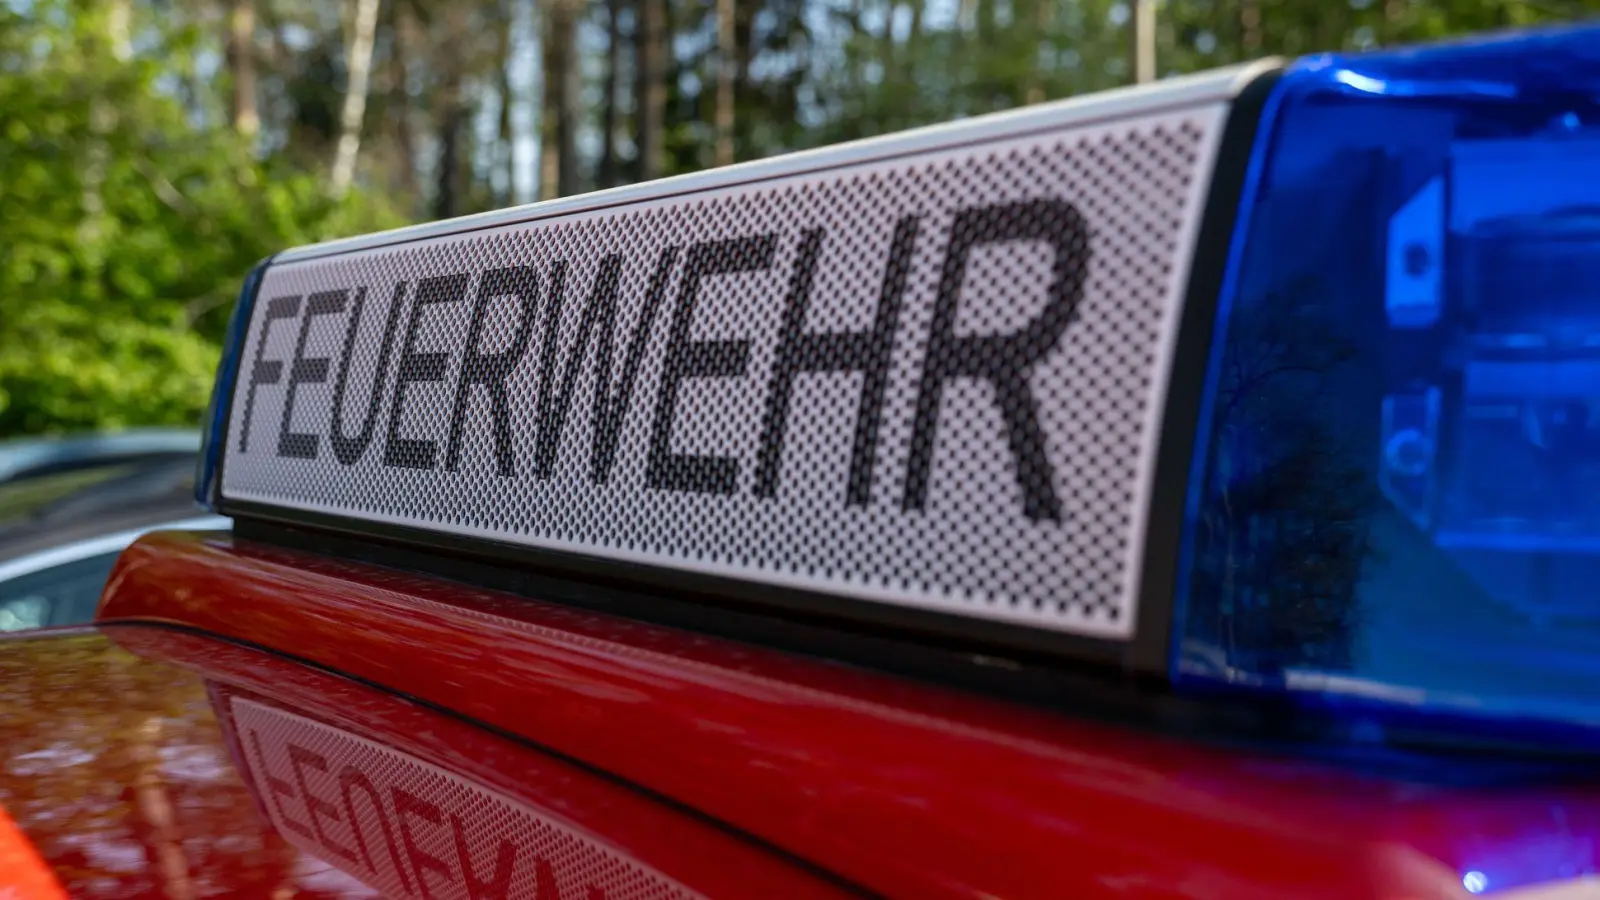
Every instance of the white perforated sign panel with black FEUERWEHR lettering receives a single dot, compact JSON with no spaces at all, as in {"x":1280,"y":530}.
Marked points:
{"x":932,"y":380}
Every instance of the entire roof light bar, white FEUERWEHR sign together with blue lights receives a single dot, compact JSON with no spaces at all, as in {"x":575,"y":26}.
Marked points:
{"x":1166,"y":379}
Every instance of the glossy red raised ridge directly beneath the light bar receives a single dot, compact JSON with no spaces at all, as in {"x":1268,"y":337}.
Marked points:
{"x":903,"y":789}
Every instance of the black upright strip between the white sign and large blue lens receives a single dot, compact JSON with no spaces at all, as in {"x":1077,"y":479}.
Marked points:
{"x":1148,"y":653}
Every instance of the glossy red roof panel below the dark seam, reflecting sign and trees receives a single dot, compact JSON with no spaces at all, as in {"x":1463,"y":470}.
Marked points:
{"x":129,"y":771}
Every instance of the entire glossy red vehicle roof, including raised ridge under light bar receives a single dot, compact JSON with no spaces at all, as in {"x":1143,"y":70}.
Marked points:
{"x":569,"y":753}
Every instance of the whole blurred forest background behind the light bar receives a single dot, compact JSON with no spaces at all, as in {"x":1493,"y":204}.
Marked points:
{"x":153,"y":150}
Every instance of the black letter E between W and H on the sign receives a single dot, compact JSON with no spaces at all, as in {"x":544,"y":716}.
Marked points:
{"x":702,"y":360}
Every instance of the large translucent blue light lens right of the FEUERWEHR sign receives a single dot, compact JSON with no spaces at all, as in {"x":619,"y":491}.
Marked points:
{"x":1398,"y":494}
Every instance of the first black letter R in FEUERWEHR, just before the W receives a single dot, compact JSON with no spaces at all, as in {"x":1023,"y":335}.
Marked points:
{"x":494,"y":369}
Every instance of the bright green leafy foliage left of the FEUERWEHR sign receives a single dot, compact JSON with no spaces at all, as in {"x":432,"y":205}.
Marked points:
{"x":126,"y":230}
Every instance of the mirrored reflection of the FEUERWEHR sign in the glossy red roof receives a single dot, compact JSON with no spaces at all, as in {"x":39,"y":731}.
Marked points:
{"x":393,"y":821}
